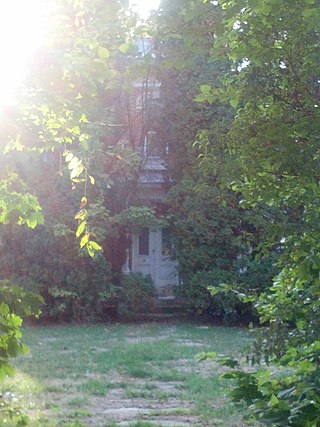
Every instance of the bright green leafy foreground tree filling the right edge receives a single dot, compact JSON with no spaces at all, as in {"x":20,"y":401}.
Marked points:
{"x":273,"y":83}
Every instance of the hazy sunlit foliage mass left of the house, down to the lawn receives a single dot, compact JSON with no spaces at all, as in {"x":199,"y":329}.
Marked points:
{"x":69,"y":144}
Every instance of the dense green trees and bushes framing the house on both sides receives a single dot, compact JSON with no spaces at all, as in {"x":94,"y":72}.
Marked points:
{"x":241,"y":117}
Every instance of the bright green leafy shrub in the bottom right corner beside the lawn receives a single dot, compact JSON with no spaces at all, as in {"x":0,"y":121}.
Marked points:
{"x":281,"y":395}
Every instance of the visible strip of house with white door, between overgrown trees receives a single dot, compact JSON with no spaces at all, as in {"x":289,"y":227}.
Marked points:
{"x":150,"y":251}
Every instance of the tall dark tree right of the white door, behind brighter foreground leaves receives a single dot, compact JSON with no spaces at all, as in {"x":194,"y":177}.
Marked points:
{"x":213,"y":236}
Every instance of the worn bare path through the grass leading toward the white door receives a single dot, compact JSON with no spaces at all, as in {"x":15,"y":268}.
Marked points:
{"x":152,"y":403}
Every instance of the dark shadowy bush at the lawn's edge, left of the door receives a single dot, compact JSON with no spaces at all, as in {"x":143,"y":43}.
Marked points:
{"x":74,"y":286}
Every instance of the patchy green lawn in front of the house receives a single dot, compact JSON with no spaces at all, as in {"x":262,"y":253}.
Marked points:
{"x":74,"y":374}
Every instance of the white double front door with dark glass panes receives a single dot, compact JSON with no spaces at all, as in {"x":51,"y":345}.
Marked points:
{"x":151,"y":254}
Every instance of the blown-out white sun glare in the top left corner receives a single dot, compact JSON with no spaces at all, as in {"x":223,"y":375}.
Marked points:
{"x":23,"y":27}
